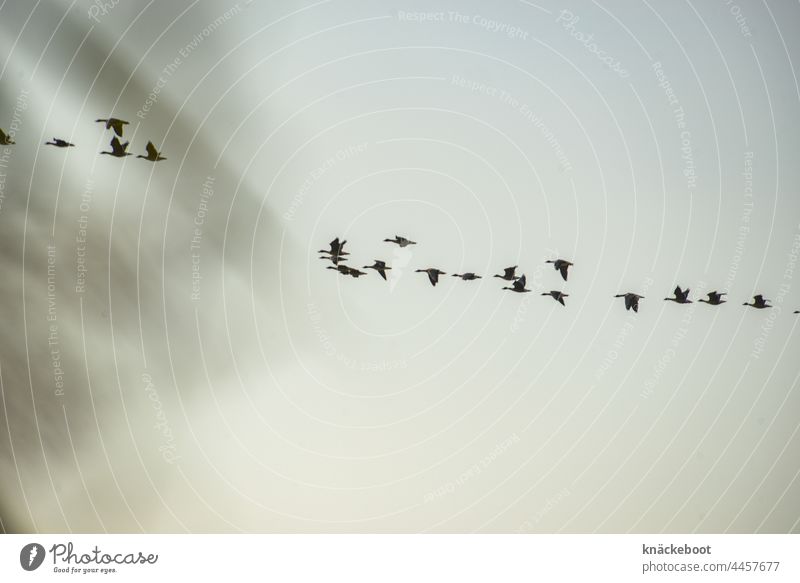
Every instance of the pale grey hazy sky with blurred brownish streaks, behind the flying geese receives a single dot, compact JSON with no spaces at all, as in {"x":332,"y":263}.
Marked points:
{"x":176,"y":358}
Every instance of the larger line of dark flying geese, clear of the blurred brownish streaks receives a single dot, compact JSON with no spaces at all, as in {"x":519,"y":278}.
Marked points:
{"x":338,"y":256}
